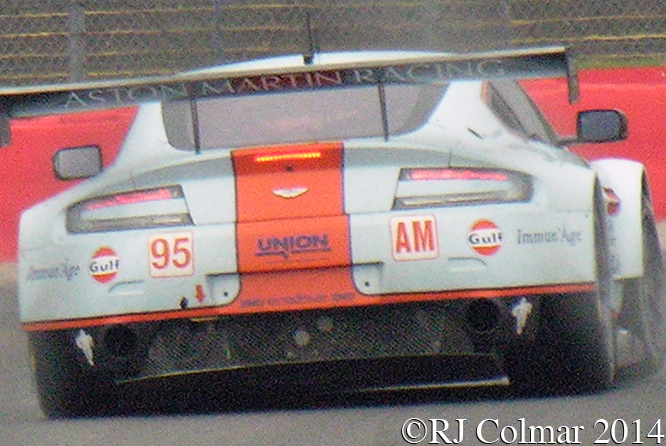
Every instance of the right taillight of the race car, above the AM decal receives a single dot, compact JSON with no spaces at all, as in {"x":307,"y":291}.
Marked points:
{"x":435,"y":187}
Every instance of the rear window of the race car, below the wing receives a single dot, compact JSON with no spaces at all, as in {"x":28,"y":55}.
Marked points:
{"x":319,"y":115}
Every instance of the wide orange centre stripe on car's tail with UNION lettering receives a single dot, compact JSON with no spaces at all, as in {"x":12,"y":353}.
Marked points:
{"x":290,"y":208}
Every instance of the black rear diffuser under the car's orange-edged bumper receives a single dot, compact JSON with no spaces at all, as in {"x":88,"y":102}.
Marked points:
{"x":457,"y":342}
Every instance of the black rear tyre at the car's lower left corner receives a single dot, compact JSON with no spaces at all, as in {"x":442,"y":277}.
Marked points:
{"x":67,"y":386}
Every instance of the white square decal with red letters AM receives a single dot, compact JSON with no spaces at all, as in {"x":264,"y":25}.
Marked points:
{"x":414,"y":238}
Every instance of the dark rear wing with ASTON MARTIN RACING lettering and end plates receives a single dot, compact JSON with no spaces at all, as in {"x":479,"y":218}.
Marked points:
{"x":16,"y":102}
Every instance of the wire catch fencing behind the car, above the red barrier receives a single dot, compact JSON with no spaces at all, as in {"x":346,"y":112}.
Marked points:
{"x":56,"y":41}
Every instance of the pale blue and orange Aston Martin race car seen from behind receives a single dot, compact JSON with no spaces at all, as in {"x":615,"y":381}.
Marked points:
{"x":349,"y":222}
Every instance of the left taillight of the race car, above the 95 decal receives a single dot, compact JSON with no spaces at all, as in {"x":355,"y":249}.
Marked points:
{"x":147,"y":208}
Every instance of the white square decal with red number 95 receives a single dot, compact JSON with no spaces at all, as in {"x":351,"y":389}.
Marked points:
{"x":171,"y":255}
